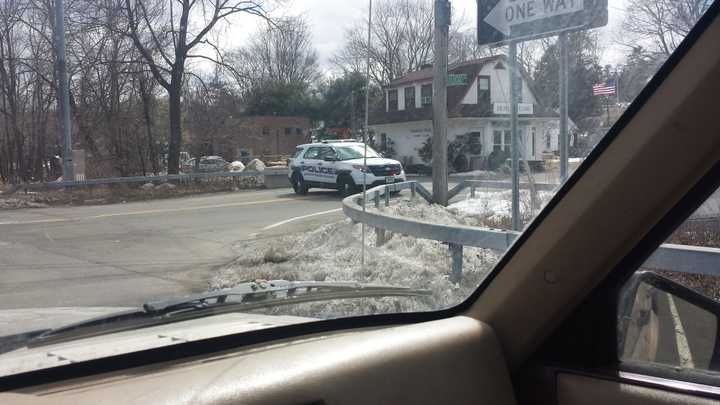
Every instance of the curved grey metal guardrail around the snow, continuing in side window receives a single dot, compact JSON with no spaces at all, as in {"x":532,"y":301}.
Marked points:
{"x":668,"y":257}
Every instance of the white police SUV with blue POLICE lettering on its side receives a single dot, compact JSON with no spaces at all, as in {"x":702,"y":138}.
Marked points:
{"x":338,"y":165}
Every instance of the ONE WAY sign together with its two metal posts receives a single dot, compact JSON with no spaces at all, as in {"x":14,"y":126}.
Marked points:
{"x":507,"y":22}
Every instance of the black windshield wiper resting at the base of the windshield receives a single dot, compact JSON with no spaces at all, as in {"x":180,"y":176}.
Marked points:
{"x":244,"y":297}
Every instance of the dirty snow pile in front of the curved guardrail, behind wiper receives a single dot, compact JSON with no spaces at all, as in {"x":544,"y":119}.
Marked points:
{"x":332,"y":253}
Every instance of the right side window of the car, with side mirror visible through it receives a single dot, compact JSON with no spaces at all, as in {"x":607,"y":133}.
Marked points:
{"x":669,"y":311}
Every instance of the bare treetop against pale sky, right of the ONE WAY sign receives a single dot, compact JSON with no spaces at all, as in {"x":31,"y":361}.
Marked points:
{"x":663,"y":22}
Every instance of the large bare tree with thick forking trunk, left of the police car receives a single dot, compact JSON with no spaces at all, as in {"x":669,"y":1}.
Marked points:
{"x":162,"y":32}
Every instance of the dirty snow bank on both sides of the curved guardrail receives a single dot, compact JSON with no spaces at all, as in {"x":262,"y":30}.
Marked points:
{"x":332,"y":253}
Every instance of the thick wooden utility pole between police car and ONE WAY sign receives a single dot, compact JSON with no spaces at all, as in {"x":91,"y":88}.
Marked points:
{"x":440,"y":77}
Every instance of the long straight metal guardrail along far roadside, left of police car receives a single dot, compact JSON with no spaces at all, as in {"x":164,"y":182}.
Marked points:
{"x":144,"y":179}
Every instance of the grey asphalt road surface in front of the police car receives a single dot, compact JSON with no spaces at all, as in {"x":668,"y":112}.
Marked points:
{"x":126,"y":254}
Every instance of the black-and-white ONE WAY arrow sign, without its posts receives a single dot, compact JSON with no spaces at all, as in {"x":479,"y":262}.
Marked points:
{"x":501,"y":21}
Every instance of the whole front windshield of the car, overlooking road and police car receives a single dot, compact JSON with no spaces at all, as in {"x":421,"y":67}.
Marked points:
{"x":172,"y":176}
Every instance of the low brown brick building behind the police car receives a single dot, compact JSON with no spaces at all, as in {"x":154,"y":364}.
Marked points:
{"x":261,"y":136}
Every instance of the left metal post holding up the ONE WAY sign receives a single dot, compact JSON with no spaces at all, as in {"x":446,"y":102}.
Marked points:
{"x":515,"y":151}
